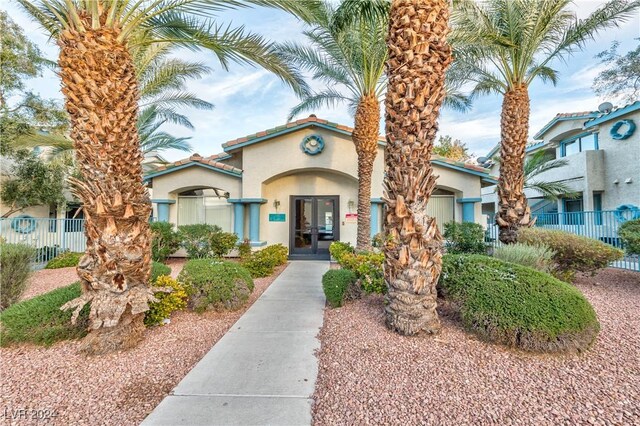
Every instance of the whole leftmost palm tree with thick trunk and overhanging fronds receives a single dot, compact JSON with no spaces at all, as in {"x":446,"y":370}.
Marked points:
{"x":96,"y":38}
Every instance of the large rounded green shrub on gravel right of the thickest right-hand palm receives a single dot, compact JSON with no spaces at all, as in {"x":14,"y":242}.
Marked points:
{"x":517,"y":306}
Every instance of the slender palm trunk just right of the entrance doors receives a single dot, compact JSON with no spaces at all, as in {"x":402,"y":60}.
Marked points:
{"x":365,"y":137}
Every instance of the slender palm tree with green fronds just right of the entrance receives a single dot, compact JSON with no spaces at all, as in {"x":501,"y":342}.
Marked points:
{"x":348,"y":52}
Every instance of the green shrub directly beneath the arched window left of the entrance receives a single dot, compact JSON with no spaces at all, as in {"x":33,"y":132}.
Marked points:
{"x":206,"y":241}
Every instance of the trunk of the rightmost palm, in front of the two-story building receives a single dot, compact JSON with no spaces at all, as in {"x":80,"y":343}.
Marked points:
{"x":513,"y":211}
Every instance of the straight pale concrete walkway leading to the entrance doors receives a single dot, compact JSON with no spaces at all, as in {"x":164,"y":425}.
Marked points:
{"x":263,"y":371}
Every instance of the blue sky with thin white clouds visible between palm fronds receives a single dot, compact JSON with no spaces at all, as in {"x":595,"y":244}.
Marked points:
{"x":249,"y":99}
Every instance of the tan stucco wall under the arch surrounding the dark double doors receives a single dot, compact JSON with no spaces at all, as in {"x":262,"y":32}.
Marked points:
{"x":306,"y":183}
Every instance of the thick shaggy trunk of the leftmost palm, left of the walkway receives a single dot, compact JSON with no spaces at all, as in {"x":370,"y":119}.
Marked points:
{"x":101,"y":91}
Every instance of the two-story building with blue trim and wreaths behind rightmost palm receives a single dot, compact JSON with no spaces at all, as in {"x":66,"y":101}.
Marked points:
{"x":602,"y":152}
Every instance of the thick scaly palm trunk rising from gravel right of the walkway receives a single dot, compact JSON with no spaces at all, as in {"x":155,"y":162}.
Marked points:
{"x":418,"y":59}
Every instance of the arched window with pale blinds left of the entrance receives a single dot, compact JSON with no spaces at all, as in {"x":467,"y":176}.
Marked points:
{"x":204,"y":205}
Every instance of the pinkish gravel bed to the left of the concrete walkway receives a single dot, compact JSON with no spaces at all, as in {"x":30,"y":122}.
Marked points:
{"x":118,"y":389}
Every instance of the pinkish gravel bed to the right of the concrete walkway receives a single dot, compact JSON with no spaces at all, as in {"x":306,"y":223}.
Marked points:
{"x":368,"y":375}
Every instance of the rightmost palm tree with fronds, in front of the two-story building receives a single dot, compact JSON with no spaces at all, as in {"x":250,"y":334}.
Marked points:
{"x":504,"y":45}
